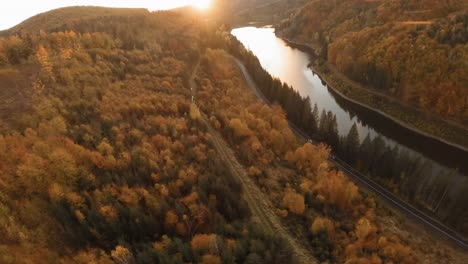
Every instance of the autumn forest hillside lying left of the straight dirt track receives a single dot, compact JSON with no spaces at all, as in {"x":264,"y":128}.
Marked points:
{"x":100,"y":158}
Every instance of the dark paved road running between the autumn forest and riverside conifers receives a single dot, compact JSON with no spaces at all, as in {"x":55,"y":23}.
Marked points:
{"x":362,"y":180}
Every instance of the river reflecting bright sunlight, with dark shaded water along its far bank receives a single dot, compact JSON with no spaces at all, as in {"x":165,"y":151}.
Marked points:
{"x":290,"y":65}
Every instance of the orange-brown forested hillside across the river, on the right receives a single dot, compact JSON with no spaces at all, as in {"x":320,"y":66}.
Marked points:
{"x":414,"y":50}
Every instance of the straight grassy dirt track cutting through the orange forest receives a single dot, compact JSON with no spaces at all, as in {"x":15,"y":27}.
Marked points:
{"x":263,"y":211}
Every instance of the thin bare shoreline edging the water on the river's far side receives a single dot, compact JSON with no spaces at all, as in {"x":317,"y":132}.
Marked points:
{"x":310,"y":50}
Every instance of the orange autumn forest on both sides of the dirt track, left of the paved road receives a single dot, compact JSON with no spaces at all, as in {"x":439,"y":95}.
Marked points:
{"x":104,"y":157}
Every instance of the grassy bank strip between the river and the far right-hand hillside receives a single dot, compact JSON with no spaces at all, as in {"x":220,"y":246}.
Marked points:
{"x":406,"y":116}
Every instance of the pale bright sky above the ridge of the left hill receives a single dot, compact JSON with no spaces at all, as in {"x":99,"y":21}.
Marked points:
{"x":13,"y":12}
